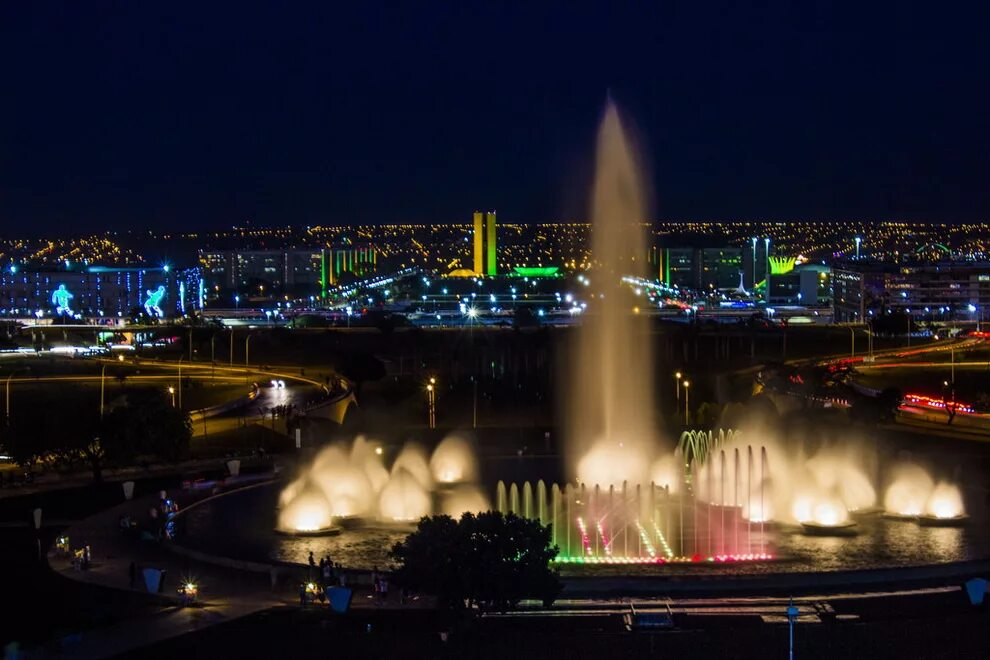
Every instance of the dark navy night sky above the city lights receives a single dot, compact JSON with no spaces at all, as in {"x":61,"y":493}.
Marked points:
{"x":206,"y":114}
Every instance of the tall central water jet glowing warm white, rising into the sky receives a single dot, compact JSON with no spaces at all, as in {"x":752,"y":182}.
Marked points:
{"x":609,"y":407}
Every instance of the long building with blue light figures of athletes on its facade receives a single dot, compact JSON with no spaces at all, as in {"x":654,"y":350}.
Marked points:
{"x":100,"y":291}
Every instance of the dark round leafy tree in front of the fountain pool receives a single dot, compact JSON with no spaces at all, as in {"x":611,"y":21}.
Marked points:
{"x":488,"y":560}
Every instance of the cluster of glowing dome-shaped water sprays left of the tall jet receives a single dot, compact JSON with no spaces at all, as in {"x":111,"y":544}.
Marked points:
{"x":352,"y":484}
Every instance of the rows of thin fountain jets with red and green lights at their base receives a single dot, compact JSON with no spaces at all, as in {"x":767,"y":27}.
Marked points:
{"x":701,"y":505}
